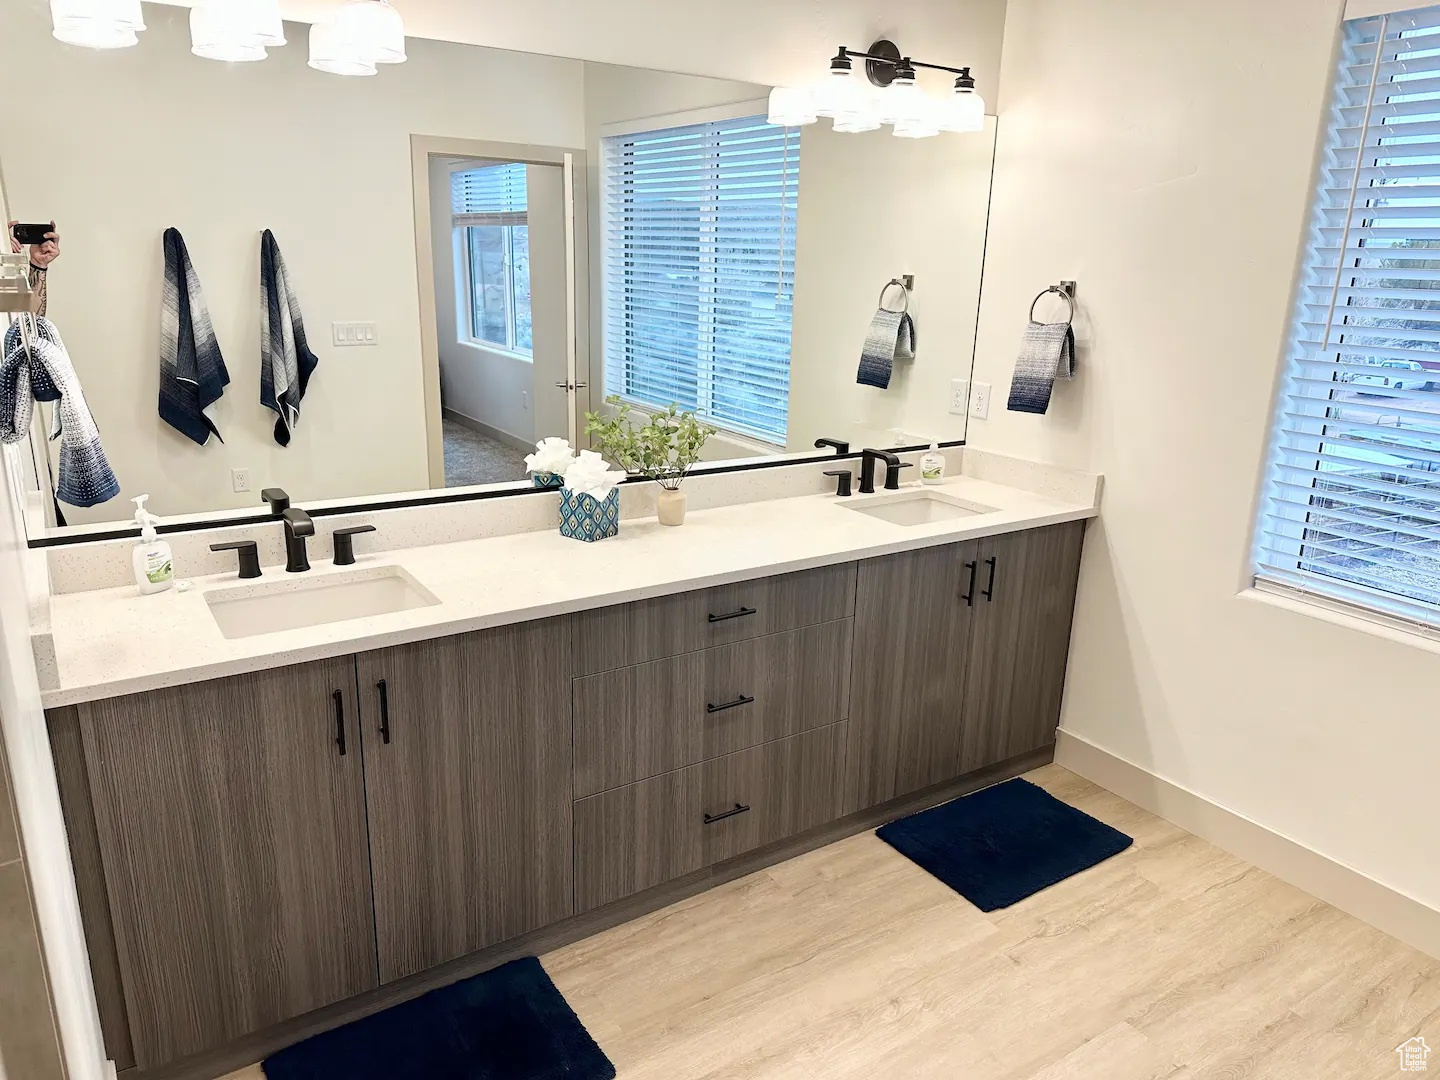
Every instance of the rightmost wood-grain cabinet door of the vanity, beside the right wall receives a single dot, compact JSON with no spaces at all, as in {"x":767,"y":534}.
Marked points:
{"x":1020,"y":642}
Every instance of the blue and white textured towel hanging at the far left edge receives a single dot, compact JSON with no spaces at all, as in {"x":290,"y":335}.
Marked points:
{"x":42,"y":372}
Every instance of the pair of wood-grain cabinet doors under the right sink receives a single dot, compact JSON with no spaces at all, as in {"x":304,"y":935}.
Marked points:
{"x":960,"y":659}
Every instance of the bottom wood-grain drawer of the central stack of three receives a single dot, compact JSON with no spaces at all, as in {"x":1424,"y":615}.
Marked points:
{"x":631,"y":839}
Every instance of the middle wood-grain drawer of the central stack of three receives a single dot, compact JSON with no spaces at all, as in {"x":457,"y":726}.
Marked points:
{"x":654,"y":718}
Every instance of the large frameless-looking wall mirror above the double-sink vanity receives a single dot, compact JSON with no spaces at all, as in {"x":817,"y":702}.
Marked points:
{"x":483,"y":246}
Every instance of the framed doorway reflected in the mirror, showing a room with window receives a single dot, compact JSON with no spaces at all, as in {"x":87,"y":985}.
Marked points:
{"x":503,"y":294}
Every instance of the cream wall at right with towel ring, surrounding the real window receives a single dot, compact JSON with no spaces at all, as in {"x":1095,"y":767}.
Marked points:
{"x":1161,"y":156}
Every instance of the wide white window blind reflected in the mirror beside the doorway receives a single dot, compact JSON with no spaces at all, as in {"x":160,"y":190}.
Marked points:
{"x":701,"y":270}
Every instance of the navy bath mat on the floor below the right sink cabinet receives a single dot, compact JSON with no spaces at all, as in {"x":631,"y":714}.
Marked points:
{"x":1002,"y":845}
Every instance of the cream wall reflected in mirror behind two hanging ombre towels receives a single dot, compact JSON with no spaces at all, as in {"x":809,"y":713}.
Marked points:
{"x":224,"y":152}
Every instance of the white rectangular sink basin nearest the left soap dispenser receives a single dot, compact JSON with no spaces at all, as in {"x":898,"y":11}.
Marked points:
{"x":250,"y":610}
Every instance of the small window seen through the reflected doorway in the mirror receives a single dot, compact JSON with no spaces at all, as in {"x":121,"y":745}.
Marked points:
{"x":493,"y":241}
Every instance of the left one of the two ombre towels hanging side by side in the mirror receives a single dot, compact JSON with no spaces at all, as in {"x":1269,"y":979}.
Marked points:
{"x":192,"y":371}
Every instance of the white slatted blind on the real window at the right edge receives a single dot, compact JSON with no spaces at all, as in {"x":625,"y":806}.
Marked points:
{"x":1351,"y":508}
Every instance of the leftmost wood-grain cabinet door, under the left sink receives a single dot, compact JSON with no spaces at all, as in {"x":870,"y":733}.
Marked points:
{"x":233,"y":827}
